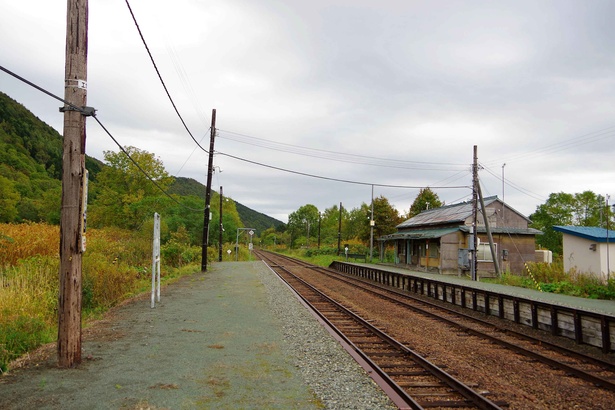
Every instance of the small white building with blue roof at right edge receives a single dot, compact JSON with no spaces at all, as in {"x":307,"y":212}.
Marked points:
{"x":589,"y":250}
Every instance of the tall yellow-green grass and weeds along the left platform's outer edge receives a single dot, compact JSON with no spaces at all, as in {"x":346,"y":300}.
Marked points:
{"x":116,"y":266}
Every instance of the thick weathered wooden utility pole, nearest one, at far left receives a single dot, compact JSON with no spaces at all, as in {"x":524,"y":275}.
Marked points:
{"x":73,"y":170}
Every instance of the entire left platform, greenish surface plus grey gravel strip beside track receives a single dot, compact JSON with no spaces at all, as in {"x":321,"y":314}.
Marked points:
{"x":232,"y":338}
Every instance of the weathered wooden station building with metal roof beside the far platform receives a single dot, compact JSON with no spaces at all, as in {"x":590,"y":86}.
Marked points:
{"x":438,"y":240}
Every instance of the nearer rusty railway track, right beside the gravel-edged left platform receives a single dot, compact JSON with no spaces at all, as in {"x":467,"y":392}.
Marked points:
{"x":409,"y":379}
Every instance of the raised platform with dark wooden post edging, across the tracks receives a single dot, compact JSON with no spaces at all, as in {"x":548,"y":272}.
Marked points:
{"x":585,"y":321}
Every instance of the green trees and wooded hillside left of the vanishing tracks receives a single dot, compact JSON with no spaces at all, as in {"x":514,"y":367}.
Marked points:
{"x":119,"y":194}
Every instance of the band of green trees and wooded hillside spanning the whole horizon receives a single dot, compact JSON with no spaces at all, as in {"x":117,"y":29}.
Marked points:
{"x":120,"y":195}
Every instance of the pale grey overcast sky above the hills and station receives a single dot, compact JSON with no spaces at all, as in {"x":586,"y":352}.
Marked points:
{"x":391,"y":93}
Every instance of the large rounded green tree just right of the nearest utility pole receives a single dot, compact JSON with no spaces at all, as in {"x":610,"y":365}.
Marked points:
{"x":125,"y":194}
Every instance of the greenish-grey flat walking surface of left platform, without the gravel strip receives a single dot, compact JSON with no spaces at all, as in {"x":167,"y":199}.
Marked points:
{"x":210,"y":343}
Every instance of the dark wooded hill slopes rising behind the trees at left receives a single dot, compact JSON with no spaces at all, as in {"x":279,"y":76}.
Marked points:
{"x":31,"y":166}
